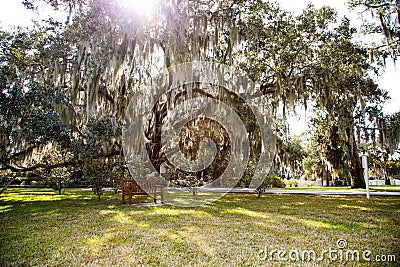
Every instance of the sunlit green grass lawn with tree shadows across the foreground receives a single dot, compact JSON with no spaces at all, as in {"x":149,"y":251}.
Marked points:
{"x":40,"y":228}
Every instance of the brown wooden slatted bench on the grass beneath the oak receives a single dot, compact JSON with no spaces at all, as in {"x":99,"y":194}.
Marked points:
{"x":132,"y":187}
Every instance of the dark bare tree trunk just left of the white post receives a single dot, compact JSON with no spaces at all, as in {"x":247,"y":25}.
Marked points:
{"x":356,"y":170}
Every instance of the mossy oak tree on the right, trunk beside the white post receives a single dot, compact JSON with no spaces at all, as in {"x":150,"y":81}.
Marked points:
{"x":314,"y":65}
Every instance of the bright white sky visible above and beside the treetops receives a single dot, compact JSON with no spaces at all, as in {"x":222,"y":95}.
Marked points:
{"x":13,"y":13}
